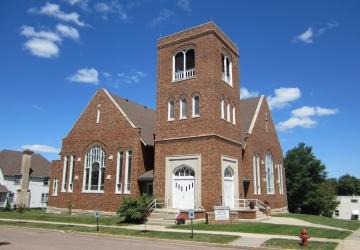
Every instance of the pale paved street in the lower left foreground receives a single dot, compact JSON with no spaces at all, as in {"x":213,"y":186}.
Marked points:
{"x":28,"y":239}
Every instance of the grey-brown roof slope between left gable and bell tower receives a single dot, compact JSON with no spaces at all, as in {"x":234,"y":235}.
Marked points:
{"x":138,"y":116}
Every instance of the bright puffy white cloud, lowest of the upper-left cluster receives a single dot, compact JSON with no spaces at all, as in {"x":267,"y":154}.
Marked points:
{"x":42,"y":47}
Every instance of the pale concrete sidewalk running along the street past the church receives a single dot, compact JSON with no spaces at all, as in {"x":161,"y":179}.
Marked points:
{"x":247,"y":239}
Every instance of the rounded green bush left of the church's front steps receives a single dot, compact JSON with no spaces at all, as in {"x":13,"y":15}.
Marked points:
{"x":134,"y":210}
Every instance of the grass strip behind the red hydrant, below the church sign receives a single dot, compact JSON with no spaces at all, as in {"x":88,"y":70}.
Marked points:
{"x":267,"y":228}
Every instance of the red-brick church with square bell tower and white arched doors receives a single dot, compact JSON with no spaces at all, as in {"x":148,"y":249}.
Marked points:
{"x":200,"y":148}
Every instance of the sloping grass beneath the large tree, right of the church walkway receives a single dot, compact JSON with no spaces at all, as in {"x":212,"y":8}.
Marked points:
{"x":346,"y":224}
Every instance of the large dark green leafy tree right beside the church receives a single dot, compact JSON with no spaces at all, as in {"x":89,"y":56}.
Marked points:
{"x":306,"y":182}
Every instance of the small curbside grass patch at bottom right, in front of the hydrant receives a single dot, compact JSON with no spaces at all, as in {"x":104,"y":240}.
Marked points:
{"x":294,"y":244}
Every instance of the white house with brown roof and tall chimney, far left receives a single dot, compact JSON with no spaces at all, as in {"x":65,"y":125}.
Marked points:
{"x":24,"y":178}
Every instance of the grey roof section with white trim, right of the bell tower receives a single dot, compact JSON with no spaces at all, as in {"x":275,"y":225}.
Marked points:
{"x":249,"y":109}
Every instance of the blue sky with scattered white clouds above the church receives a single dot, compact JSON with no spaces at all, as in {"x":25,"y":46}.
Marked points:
{"x":304,"y":56}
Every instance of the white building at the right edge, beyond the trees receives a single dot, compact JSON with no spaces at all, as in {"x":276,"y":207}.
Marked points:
{"x":348,"y":208}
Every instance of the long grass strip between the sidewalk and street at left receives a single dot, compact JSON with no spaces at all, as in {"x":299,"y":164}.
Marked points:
{"x":210,"y":238}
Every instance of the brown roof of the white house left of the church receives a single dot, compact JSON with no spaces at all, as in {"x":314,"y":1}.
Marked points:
{"x":11,"y":160}
